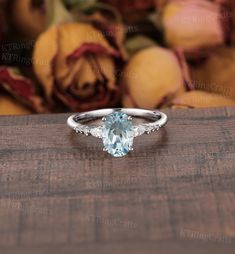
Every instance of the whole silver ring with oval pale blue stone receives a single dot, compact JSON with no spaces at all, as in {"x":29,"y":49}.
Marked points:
{"x":118,"y":129}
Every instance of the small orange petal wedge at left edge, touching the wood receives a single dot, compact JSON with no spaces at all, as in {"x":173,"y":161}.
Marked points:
{"x":9,"y":106}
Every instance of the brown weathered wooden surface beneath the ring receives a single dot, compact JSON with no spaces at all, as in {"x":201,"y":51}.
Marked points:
{"x":60,"y":193}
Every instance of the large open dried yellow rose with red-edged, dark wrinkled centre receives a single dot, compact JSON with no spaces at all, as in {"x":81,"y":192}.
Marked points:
{"x":76,"y":64}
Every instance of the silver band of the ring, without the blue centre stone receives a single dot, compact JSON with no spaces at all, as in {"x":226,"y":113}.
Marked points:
{"x":77,"y":122}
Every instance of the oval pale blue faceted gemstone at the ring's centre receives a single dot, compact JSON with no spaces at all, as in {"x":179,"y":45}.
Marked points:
{"x":117,"y":134}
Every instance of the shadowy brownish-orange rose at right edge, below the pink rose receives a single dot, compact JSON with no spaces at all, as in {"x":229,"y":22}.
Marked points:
{"x":216,"y":74}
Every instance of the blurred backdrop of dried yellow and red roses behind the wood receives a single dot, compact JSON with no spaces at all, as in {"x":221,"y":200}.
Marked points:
{"x":78,"y":55}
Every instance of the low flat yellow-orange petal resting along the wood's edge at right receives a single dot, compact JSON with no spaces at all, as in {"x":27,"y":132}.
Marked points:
{"x":201,"y":99}
